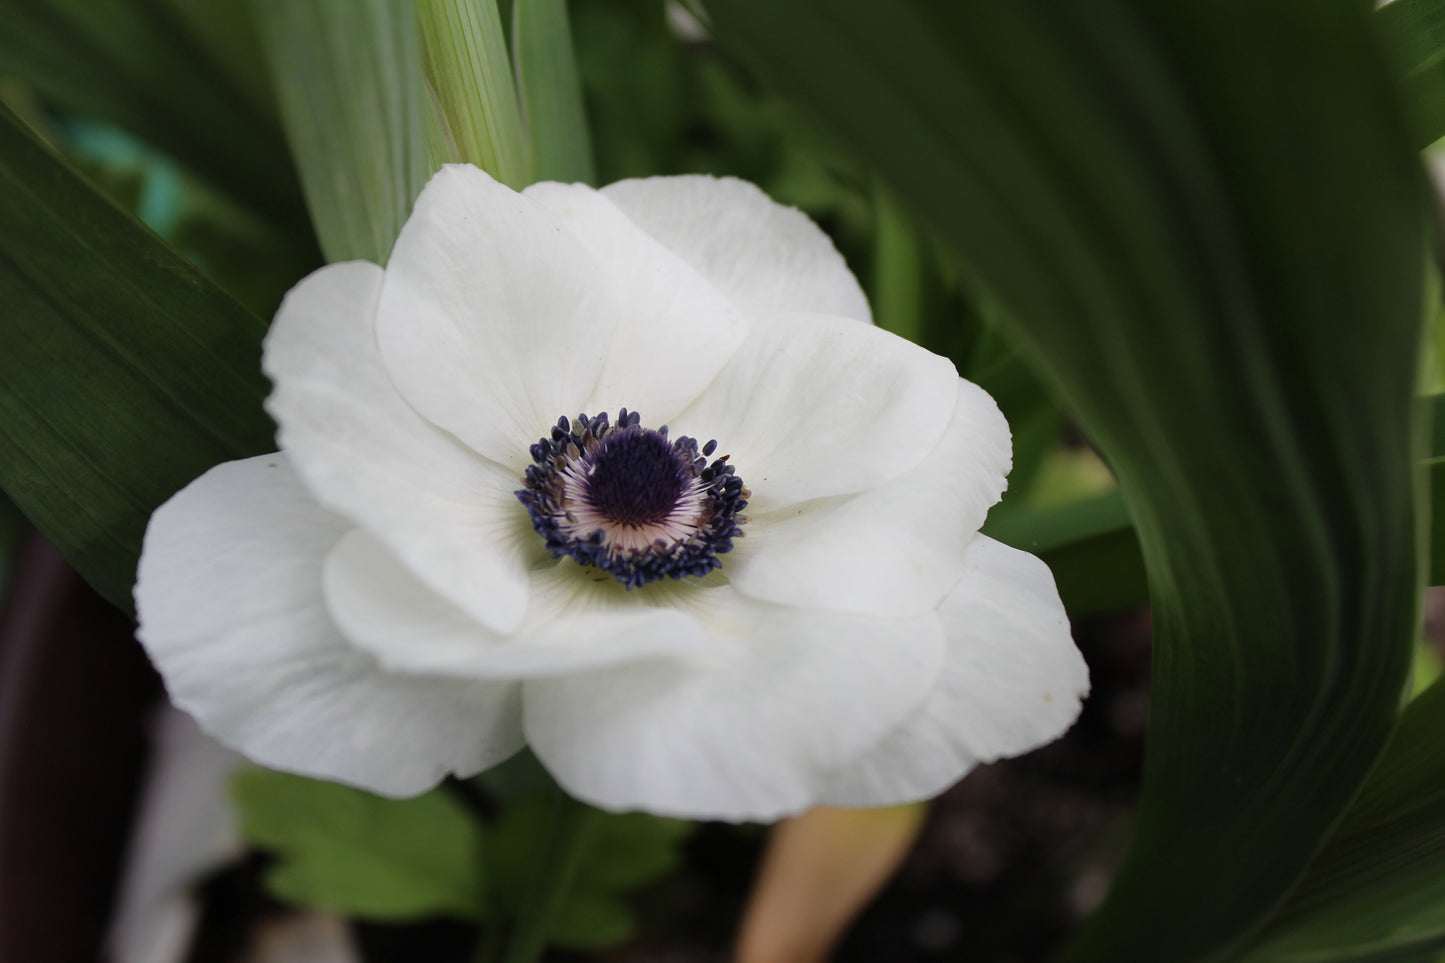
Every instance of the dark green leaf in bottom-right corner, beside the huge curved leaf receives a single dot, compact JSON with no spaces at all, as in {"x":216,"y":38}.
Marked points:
{"x":1378,"y":890}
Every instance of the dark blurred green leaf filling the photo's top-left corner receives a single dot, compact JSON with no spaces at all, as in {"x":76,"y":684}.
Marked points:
{"x":139,"y":66}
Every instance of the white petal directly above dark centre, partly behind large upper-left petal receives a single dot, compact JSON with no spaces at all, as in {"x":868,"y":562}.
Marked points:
{"x":678,"y":333}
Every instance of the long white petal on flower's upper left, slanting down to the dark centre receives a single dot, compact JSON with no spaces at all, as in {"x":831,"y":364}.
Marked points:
{"x":365,"y":453}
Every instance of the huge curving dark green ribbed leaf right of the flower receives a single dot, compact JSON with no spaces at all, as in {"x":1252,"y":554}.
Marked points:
{"x":1165,"y":231}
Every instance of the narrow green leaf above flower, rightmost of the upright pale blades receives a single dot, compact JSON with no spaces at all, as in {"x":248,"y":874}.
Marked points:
{"x":551,"y":92}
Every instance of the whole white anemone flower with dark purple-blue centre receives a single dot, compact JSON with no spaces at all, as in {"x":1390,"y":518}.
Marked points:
{"x":499,"y":518}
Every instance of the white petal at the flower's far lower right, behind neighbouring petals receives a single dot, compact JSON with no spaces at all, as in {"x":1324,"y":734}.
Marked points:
{"x":1012,"y":682}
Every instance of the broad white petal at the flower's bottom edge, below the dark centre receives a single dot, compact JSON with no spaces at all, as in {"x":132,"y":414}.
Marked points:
{"x":748,"y":729}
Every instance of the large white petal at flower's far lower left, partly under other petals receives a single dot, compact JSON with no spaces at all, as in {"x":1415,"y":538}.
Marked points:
{"x":230,"y":608}
